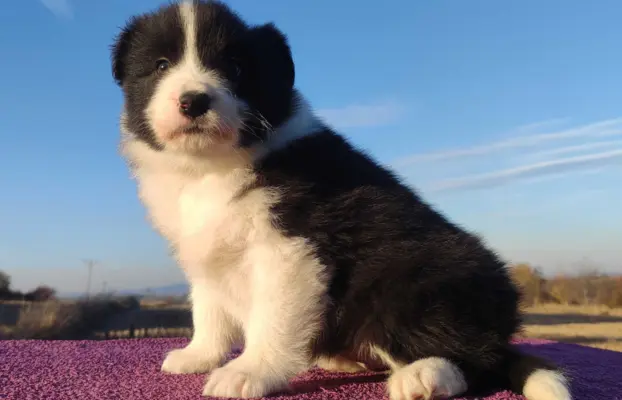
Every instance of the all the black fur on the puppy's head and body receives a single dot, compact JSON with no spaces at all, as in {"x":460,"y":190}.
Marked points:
{"x":404,"y":277}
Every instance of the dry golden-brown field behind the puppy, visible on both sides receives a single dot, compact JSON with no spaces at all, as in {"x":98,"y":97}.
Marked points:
{"x":590,"y":326}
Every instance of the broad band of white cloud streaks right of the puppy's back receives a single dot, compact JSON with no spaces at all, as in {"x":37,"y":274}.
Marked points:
{"x":525,"y":157}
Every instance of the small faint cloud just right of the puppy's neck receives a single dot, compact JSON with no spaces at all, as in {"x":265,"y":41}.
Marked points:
{"x":362,"y":115}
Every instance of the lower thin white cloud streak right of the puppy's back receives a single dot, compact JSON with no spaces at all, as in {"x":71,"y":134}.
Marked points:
{"x":502,"y":177}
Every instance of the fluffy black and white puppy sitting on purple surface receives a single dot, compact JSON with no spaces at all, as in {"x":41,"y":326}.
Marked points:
{"x":295,"y":243}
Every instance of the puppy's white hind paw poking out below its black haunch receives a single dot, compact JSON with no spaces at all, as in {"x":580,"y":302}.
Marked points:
{"x":429,"y":378}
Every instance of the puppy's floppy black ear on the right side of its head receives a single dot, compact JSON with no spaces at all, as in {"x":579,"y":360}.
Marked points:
{"x":273,"y":62}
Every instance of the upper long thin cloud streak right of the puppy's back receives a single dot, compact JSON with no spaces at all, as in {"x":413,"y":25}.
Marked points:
{"x":611,"y":127}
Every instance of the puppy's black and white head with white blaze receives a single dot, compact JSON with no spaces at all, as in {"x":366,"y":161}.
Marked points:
{"x":197,"y":79}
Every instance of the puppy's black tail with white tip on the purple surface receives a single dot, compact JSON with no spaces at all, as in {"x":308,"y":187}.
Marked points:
{"x":534,"y":377}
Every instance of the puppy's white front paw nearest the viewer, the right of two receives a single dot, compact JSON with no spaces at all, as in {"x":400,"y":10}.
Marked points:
{"x":240,"y":380}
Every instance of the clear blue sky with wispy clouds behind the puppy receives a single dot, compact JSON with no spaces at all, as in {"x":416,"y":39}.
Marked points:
{"x":504,"y":115}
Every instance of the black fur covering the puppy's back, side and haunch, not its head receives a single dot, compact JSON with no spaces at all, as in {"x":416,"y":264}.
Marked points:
{"x":404,"y":277}
